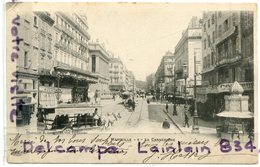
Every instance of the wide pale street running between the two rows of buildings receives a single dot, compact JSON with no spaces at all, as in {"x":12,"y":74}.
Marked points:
{"x":142,"y":121}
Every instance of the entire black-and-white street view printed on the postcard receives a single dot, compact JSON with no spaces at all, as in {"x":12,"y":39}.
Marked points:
{"x":83,"y":73}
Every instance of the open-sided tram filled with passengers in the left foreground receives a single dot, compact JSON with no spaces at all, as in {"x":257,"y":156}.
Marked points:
{"x":69,"y":119}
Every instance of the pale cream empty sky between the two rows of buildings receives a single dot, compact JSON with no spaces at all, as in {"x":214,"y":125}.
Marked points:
{"x":140,"y":34}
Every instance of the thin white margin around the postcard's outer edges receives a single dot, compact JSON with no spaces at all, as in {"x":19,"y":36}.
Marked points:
{"x":3,"y":72}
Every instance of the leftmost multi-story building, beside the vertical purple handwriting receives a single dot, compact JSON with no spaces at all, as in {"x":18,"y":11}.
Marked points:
{"x":35,"y":62}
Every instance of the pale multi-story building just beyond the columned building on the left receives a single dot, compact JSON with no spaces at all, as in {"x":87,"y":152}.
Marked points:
{"x":117,"y":74}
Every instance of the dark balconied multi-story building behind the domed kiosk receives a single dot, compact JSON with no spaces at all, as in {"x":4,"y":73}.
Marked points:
{"x":227,"y":57}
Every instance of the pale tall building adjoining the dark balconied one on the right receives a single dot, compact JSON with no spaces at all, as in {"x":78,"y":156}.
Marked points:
{"x":187,"y":49}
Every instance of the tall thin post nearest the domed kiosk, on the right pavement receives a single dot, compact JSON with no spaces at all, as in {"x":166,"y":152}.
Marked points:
{"x":195,"y":127}
